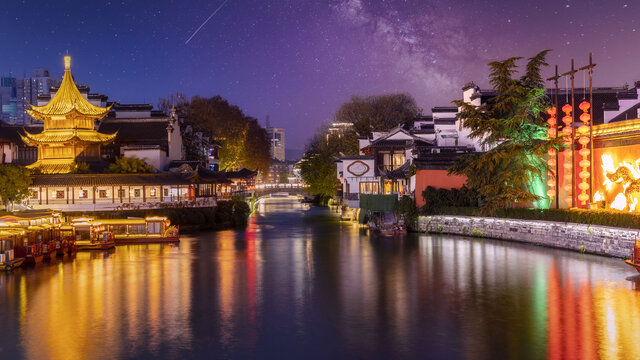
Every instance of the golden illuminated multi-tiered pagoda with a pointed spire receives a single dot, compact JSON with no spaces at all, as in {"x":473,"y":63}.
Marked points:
{"x":69,"y":134}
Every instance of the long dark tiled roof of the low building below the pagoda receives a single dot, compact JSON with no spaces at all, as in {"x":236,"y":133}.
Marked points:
{"x":108,"y":179}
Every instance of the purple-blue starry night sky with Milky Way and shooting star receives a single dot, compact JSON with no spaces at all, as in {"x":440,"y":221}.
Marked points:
{"x":298,"y":60}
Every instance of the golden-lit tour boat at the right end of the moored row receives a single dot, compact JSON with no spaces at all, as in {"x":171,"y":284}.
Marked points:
{"x":155,"y":229}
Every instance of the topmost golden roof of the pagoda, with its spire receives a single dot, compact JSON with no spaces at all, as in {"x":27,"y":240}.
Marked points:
{"x":68,"y":101}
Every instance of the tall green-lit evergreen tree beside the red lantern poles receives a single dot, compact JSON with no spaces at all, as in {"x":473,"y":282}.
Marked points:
{"x":511,"y":128}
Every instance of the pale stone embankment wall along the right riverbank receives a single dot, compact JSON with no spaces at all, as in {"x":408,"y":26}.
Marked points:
{"x":601,"y":240}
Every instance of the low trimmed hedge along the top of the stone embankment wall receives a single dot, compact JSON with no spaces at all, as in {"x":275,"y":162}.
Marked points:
{"x":608,"y":217}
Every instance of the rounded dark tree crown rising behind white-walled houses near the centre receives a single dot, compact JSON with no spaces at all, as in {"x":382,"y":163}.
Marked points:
{"x":378,"y":112}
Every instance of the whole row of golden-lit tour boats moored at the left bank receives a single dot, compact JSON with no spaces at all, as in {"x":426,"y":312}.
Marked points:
{"x":31,"y":237}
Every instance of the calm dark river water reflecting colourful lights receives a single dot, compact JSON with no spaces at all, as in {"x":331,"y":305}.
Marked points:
{"x":299,"y":284}
